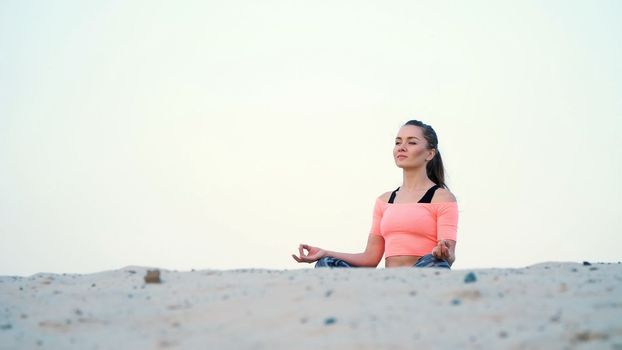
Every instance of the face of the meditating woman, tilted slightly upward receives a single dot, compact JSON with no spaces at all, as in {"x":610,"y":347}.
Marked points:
{"x":411,"y":148}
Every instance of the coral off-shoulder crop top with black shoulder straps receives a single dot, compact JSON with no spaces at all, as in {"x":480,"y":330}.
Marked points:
{"x":414,"y":228}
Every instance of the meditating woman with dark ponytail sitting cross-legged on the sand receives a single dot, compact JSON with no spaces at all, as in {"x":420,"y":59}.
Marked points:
{"x":416,"y":224}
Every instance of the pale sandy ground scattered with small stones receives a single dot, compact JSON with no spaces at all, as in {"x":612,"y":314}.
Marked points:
{"x":545,"y":306}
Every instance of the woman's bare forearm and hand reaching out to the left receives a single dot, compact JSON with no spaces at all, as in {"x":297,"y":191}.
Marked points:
{"x":369,"y":258}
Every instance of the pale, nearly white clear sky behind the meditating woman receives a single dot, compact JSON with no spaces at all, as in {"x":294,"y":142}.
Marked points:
{"x":220,"y":135}
